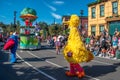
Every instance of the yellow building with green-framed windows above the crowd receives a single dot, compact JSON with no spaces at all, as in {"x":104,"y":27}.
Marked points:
{"x":103,"y":14}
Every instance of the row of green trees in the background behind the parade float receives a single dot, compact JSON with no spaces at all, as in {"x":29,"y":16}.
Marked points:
{"x":52,"y":29}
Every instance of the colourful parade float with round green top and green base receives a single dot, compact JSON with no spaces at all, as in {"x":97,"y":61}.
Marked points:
{"x":28,"y":37}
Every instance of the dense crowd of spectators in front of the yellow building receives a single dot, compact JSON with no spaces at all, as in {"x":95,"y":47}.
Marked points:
{"x":104,"y":45}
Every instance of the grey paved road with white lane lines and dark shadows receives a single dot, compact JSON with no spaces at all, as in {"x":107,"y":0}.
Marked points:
{"x":44,"y":64}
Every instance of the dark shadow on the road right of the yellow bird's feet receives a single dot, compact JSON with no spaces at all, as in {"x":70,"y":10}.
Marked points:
{"x":99,"y":70}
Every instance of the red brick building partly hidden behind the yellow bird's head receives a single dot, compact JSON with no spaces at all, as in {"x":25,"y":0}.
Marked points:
{"x":83,"y":20}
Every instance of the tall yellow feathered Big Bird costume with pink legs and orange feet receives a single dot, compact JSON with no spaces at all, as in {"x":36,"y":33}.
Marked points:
{"x":74,"y":50}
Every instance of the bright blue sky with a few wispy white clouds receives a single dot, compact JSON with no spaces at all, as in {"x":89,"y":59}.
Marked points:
{"x":47,"y":10}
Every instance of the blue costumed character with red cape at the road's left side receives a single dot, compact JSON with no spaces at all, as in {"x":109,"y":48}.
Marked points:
{"x":12,"y":44}
